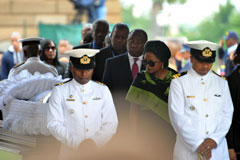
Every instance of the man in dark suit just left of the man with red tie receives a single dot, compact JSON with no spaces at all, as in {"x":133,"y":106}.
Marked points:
{"x":118,"y":46}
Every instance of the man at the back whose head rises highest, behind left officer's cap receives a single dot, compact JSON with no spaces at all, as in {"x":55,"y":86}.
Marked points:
{"x":99,"y":31}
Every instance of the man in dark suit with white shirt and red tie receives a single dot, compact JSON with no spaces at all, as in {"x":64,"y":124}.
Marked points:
{"x":120,"y":71}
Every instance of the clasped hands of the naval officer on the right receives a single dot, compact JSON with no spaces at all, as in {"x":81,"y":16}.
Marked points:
{"x":206,"y":147}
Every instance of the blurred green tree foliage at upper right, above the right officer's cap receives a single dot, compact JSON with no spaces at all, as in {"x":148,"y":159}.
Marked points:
{"x":214,"y":27}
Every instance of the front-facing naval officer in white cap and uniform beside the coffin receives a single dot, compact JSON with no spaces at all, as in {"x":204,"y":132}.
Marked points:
{"x":81,"y":111}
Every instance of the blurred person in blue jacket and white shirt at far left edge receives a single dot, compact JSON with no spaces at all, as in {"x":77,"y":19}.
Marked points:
{"x":13,"y":56}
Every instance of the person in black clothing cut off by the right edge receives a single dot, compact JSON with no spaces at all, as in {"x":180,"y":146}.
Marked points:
{"x":233,"y":79}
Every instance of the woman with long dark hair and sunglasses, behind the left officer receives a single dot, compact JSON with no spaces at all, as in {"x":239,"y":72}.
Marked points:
{"x":50,"y":56}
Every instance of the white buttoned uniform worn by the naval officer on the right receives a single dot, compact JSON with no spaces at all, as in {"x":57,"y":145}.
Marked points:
{"x":200,"y":107}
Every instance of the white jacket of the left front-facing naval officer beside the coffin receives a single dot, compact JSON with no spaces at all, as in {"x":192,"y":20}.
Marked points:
{"x":78,"y":112}
